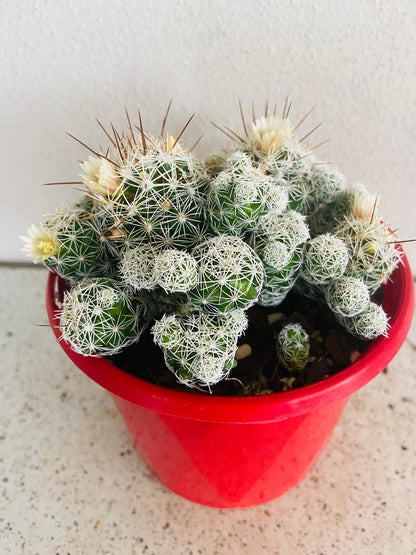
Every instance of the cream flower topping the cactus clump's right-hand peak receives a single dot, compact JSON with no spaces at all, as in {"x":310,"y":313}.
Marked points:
{"x":272,"y":133}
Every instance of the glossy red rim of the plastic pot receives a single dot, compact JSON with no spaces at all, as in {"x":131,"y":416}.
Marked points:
{"x":398,"y":302}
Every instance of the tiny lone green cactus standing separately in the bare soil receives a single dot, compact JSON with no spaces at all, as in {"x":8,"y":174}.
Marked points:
{"x":292,"y":347}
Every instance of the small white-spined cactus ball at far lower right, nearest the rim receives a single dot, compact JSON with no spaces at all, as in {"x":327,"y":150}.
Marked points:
{"x":369,"y":324}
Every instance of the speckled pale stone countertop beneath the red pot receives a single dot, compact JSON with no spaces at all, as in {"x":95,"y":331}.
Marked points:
{"x":71,"y":483}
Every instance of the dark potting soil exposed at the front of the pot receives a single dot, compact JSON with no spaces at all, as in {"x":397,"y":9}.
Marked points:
{"x":331,"y":350}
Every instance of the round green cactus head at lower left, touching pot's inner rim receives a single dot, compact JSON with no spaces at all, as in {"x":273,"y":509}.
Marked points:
{"x":99,"y":317}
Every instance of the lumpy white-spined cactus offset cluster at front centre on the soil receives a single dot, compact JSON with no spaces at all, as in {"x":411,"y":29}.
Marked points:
{"x":199,"y":348}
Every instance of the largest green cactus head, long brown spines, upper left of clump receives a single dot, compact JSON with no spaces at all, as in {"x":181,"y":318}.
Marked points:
{"x":160,"y":201}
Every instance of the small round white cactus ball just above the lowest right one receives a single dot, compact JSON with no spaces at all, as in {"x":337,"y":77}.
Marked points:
{"x":347,"y":296}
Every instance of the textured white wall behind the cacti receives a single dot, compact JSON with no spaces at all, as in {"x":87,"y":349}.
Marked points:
{"x":65,"y":63}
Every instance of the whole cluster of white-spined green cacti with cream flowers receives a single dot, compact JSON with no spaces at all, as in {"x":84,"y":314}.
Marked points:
{"x":162,"y":240}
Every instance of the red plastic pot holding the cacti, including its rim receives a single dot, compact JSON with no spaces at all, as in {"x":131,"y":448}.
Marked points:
{"x":232,"y":451}
